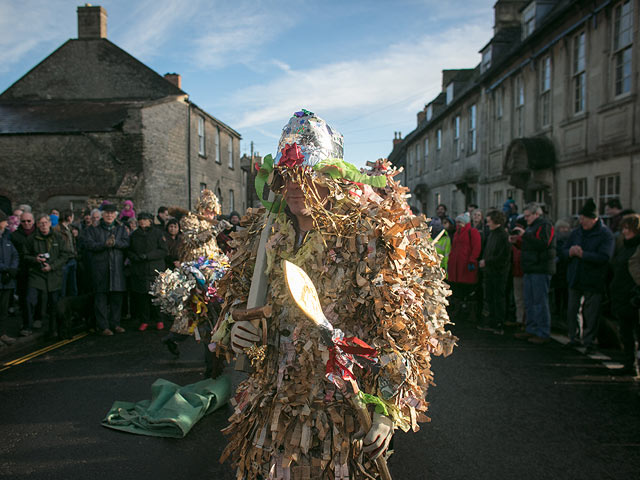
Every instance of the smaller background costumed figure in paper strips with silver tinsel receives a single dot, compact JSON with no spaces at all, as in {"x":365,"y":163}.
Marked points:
{"x":189,"y":293}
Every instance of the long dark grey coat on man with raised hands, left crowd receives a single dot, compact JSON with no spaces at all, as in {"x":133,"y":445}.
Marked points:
{"x":106,"y":263}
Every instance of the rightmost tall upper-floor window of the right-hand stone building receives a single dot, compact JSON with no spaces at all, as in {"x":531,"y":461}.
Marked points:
{"x":622,"y":43}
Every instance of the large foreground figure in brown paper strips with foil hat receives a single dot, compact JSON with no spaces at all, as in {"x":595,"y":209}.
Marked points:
{"x":379,"y":280}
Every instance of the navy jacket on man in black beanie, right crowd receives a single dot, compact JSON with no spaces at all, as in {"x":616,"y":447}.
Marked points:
{"x":589,"y":273}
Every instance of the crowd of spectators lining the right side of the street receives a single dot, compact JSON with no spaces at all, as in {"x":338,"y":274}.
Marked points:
{"x":510,"y":270}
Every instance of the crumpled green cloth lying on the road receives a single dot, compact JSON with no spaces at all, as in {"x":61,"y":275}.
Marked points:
{"x":172,"y":411}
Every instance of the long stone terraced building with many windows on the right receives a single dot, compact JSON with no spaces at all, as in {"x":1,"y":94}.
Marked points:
{"x":550,"y":114}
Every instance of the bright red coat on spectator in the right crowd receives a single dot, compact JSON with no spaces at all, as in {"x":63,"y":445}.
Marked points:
{"x":463,"y":259}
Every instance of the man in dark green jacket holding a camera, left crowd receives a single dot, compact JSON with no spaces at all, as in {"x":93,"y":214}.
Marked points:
{"x":46,"y":254}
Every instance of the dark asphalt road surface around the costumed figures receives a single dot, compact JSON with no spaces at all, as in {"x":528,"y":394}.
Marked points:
{"x":502,"y":409}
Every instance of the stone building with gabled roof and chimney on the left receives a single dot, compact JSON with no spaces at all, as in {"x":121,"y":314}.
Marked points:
{"x":91,"y":122}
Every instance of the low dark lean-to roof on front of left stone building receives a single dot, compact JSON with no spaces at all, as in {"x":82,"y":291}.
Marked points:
{"x":61,"y":117}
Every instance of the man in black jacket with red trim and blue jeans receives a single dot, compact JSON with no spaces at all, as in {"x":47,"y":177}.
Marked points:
{"x":538,"y":261}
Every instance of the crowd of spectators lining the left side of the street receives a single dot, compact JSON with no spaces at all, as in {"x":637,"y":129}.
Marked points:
{"x":111,"y":254}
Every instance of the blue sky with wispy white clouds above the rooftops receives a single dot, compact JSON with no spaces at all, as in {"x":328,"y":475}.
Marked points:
{"x":366,"y":67}
